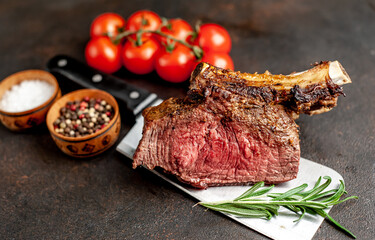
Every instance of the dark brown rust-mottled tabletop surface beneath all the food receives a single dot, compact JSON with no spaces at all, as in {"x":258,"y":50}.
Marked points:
{"x":46,"y":194}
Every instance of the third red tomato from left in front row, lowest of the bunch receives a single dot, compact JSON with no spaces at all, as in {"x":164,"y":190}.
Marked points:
{"x":175,"y":66}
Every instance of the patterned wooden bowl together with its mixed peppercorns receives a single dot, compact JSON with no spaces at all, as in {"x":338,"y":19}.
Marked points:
{"x":85,"y":122}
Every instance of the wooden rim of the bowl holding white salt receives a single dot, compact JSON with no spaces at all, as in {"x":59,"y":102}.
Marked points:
{"x":36,"y":73}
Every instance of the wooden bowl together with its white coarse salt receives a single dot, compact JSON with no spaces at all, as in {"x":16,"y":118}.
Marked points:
{"x":25,"y":98}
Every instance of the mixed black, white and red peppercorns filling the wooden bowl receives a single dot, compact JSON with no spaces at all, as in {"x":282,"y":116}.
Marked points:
{"x":82,"y":118}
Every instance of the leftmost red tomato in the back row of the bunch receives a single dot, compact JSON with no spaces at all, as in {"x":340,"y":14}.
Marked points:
{"x":106,"y":24}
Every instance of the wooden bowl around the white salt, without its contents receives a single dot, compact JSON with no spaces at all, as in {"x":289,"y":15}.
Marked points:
{"x":17,"y":121}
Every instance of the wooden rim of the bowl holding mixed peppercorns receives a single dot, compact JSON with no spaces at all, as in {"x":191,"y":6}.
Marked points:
{"x":64,"y":98}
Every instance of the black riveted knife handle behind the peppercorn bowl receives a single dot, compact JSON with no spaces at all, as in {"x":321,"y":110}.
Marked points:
{"x":88,"y":77}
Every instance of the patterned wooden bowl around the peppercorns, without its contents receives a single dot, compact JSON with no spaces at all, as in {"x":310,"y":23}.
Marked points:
{"x":90,"y":145}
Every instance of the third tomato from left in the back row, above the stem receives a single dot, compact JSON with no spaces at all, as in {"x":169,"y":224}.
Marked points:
{"x":177,"y":28}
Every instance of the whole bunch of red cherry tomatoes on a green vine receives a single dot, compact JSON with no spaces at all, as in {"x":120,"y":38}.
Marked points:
{"x":143,"y":52}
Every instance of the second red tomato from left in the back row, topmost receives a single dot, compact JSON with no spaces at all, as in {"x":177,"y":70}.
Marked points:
{"x":143,"y":19}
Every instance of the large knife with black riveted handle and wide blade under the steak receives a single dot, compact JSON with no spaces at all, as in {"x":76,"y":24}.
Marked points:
{"x":280,"y":227}
